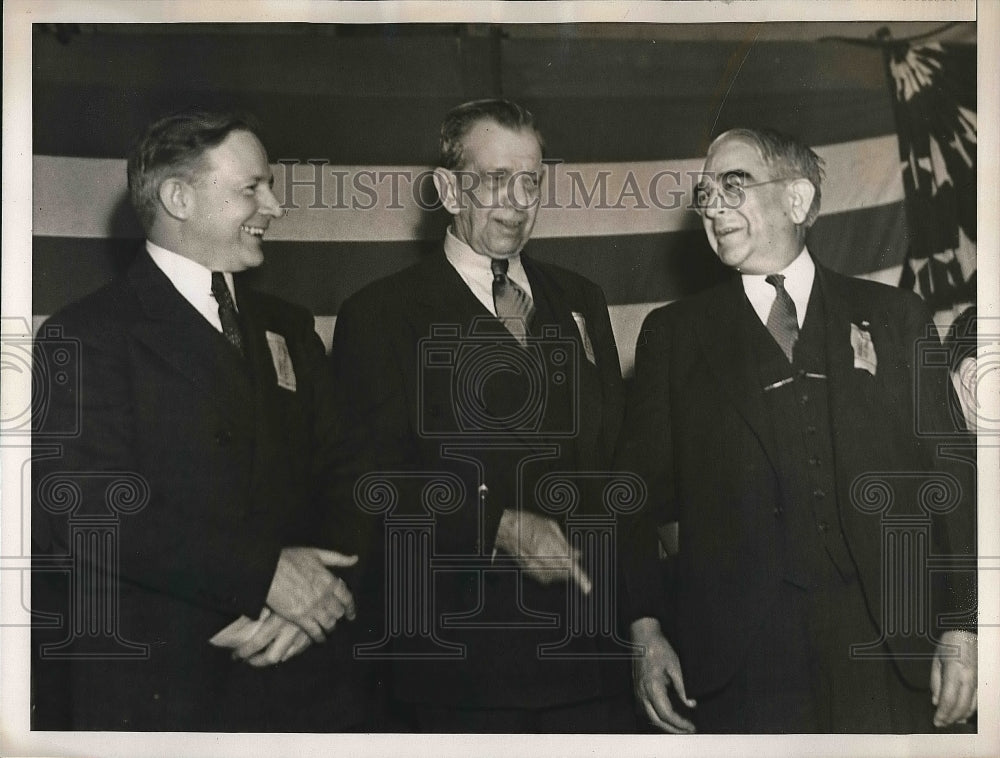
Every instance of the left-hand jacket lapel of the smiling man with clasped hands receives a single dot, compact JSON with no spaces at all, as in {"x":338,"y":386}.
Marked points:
{"x":175,"y":331}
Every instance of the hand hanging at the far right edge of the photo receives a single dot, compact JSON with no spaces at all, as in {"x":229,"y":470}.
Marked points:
{"x":954,"y":679}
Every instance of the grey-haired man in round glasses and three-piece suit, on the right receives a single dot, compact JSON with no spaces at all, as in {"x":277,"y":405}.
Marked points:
{"x":770,"y":416}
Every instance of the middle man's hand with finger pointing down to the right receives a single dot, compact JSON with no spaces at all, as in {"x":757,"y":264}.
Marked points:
{"x":540,"y":547}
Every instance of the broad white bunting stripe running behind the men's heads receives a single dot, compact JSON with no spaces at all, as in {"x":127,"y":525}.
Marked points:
{"x":86,"y":197}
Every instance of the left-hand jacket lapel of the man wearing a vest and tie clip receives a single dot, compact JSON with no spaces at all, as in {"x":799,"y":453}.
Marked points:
{"x":724,"y":336}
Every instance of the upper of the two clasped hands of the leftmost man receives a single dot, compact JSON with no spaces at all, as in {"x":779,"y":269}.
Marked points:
{"x":307,"y":594}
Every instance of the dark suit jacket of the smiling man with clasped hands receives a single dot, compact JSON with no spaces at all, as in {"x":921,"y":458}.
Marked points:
{"x":226,"y":468}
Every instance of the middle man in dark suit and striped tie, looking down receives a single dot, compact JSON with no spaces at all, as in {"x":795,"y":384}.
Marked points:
{"x":492,"y":380}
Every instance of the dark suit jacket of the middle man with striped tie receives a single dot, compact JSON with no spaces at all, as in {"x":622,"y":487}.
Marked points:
{"x":423,"y":390}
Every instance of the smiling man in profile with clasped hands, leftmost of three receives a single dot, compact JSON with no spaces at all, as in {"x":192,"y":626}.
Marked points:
{"x":190,"y":502}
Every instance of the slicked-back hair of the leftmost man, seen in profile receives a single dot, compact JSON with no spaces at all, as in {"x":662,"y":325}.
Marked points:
{"x":174,"y":146}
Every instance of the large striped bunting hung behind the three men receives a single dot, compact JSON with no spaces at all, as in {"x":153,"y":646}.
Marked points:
{"x":627,"y":119}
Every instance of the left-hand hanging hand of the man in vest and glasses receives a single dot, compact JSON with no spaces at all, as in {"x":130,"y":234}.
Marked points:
{"x":654,"y":673}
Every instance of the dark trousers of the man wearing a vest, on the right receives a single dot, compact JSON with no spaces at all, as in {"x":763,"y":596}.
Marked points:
{"x":800,"y":677}
